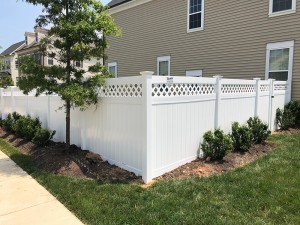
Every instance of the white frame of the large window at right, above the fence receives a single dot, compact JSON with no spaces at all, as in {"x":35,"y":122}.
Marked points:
{"x":280,"y":45}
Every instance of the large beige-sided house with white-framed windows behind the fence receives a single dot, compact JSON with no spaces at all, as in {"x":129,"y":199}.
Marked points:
{"x":236,"y":39}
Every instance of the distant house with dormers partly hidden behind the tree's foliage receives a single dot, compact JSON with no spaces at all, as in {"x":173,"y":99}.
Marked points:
{"x":31,"y":48}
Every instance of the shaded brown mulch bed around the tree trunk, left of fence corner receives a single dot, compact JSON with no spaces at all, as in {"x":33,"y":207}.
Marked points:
{"x":75,"y":162}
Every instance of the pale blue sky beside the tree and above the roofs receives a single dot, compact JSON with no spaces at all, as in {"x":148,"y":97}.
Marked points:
{"x":16,"y":17}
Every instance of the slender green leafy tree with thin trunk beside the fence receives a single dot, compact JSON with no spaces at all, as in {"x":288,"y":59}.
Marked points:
{"x":77,"y":27}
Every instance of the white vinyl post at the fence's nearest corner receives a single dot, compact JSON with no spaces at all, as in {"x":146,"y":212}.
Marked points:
{"x":147,"y":125}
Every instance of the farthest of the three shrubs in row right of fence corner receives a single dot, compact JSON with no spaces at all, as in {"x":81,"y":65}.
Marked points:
{"x":260,"y":130}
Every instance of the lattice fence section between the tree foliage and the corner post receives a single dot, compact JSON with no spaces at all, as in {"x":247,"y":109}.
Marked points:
{"x":122,"y":90}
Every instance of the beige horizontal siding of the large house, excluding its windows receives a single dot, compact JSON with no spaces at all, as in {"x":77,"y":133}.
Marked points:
{"x":233,"y":42}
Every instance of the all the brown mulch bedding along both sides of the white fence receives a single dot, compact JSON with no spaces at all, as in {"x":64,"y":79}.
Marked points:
{"x":87,"y":165}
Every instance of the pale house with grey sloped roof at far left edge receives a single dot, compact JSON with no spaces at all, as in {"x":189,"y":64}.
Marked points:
{"x":9,"y":61}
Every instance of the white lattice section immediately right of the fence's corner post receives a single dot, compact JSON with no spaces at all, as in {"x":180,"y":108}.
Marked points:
{"x":179,"y":89}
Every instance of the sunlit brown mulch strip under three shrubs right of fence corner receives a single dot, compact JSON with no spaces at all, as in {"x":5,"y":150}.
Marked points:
{"x":204,"y":168}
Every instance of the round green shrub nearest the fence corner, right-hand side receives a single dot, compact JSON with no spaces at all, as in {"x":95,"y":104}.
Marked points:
{"x":216,"y":145}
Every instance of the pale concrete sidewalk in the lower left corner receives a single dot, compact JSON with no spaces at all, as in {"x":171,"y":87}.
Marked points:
{"x":23,"y":201}
